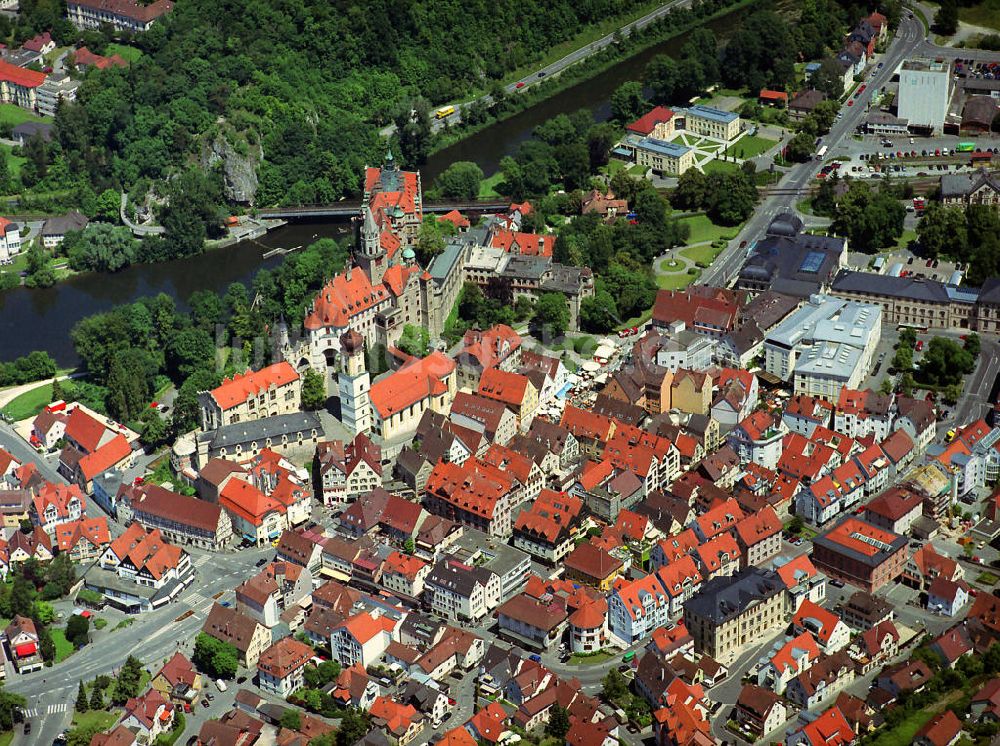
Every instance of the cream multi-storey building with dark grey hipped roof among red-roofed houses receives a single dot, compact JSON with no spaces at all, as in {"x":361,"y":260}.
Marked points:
{"x":731,"y":611}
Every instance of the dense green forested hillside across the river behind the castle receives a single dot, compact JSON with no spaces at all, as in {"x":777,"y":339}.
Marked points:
{"x":311,"y":81}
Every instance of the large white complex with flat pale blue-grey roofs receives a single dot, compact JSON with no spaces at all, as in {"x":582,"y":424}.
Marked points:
{"x":824,"y":345}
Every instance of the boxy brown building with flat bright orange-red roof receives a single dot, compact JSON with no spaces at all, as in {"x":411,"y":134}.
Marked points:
{"x":861,"y":554}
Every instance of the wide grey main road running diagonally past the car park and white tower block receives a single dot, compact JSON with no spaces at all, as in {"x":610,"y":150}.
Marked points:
{"x":909,"y":37}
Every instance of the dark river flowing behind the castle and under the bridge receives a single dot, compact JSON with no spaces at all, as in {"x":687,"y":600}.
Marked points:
{"x":41,"y":319}
